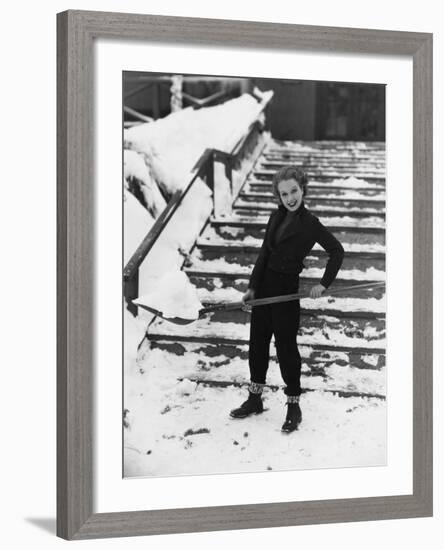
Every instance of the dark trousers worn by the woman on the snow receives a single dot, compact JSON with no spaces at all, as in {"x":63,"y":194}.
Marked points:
{"x":282,"y":321}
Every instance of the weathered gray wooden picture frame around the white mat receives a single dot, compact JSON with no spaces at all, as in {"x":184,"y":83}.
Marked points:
{"x":76,"y":32}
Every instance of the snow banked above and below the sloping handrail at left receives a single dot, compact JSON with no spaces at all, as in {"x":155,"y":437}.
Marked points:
{"x":165,"y":152}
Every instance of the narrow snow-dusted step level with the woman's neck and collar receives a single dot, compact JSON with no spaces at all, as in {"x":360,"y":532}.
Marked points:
{"x":244,"y":208}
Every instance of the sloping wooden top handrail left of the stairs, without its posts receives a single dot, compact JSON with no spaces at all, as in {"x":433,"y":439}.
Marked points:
{"x":159,"y":225}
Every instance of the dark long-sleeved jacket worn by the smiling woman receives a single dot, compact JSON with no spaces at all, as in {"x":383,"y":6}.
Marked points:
{"x":298,"y":239}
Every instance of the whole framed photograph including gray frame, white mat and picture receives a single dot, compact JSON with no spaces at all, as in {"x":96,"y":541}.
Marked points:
{"x":244,"y":275}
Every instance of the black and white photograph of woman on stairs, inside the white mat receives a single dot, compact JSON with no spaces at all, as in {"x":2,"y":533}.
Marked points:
{"x":254,"y":330}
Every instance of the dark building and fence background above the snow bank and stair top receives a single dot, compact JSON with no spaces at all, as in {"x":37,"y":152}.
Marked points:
{"x":300,"y":109}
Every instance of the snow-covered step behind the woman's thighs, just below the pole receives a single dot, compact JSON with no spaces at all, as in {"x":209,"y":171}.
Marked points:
{"x":328,"y":338}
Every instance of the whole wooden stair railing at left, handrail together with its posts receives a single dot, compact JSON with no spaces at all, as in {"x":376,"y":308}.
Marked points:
{"x":216,"y":169}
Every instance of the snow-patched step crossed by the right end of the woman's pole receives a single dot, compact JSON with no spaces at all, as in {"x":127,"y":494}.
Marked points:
{"x":211,"y":281}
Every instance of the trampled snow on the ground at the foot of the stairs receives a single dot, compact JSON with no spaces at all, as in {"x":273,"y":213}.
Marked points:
{"x":190,"y":431}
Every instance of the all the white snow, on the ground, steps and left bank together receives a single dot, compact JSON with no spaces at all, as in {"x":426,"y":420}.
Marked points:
{"x":176,"y":416}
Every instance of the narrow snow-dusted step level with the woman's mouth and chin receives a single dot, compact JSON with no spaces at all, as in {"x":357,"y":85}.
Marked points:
{"x":346,"y":201}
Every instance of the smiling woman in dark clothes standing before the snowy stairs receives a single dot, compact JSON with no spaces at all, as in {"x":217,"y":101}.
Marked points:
{"x":291,"y":233}
